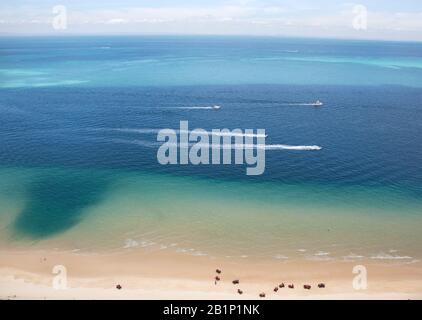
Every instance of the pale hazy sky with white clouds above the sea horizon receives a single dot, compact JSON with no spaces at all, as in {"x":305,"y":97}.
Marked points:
{"x":365,"y":19}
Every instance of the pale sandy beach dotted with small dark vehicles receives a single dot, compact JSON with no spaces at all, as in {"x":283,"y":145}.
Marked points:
{"x":28,"y":275}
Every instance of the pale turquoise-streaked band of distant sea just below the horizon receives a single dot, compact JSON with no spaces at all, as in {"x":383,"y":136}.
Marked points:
{"x":157,"y":61}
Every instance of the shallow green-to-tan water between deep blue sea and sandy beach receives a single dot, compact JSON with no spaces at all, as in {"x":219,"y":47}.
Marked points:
{"x":134,"y":211}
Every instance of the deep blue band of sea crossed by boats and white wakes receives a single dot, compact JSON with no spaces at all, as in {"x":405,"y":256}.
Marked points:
{"x":369,"y":136}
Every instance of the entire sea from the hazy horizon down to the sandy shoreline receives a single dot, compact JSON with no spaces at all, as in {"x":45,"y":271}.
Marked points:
{"x":78,"y":125}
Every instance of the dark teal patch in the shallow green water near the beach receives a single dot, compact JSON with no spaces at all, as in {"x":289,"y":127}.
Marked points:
{"x":57,"y":202}
